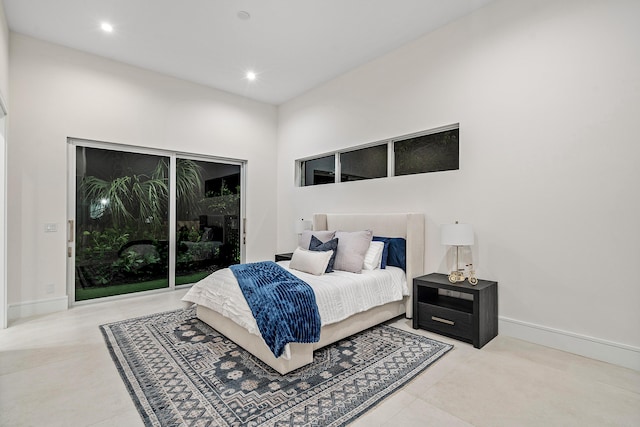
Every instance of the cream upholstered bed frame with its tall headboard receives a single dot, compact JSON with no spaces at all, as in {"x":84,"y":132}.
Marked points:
{"x":409,"y":226}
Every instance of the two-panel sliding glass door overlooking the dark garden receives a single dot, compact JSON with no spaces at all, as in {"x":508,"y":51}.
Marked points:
{"x":145,"y":220}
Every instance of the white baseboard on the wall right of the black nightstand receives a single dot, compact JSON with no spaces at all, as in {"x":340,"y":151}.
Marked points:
{"x":594,"y":348}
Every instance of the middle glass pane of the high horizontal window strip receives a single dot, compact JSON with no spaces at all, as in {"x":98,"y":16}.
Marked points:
{"x":366,"y":163}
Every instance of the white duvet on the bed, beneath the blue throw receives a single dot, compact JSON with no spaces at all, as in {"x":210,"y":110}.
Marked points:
{"x":338,"y":294}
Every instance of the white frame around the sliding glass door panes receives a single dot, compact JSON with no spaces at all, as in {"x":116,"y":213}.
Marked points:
{"x":72,"y":143}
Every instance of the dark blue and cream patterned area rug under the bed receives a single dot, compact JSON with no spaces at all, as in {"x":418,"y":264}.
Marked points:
{"x":180,"y":372}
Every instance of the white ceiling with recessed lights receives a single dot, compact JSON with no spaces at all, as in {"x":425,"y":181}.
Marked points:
{"x":292,"y":45}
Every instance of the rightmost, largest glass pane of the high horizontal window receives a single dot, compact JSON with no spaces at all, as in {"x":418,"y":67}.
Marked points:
{"x":428,"y":153}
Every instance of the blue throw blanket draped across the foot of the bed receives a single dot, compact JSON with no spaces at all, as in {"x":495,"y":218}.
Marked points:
{"x":284,"y":306}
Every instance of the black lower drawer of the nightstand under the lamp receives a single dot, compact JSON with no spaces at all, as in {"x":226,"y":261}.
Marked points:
{"x":444,"y":320}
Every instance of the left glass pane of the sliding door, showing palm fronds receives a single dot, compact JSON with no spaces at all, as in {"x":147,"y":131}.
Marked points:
{"x":121,"y":222}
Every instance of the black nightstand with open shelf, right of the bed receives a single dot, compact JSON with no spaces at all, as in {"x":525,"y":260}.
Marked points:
{"x":472,"y":317}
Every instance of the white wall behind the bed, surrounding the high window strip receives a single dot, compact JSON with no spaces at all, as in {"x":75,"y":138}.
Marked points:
{"x":547,"y":95}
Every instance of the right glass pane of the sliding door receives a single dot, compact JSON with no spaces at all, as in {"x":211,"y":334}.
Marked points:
{"x":208,"y":218}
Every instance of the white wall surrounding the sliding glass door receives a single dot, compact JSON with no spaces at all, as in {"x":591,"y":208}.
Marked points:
{"x":60,"y":93}
